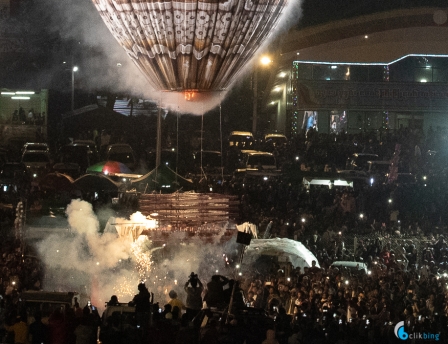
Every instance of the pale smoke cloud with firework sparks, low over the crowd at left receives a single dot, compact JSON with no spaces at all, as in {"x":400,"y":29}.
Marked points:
{"x":104,"y":264}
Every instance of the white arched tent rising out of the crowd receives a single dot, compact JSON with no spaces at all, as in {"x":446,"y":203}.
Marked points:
{"x":286,"y":250}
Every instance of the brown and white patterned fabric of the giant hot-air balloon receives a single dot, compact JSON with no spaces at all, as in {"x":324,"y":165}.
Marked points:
{"x":190,"y":45}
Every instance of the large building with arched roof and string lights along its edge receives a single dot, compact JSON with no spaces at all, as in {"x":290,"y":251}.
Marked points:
{"x":371,"y":73}
